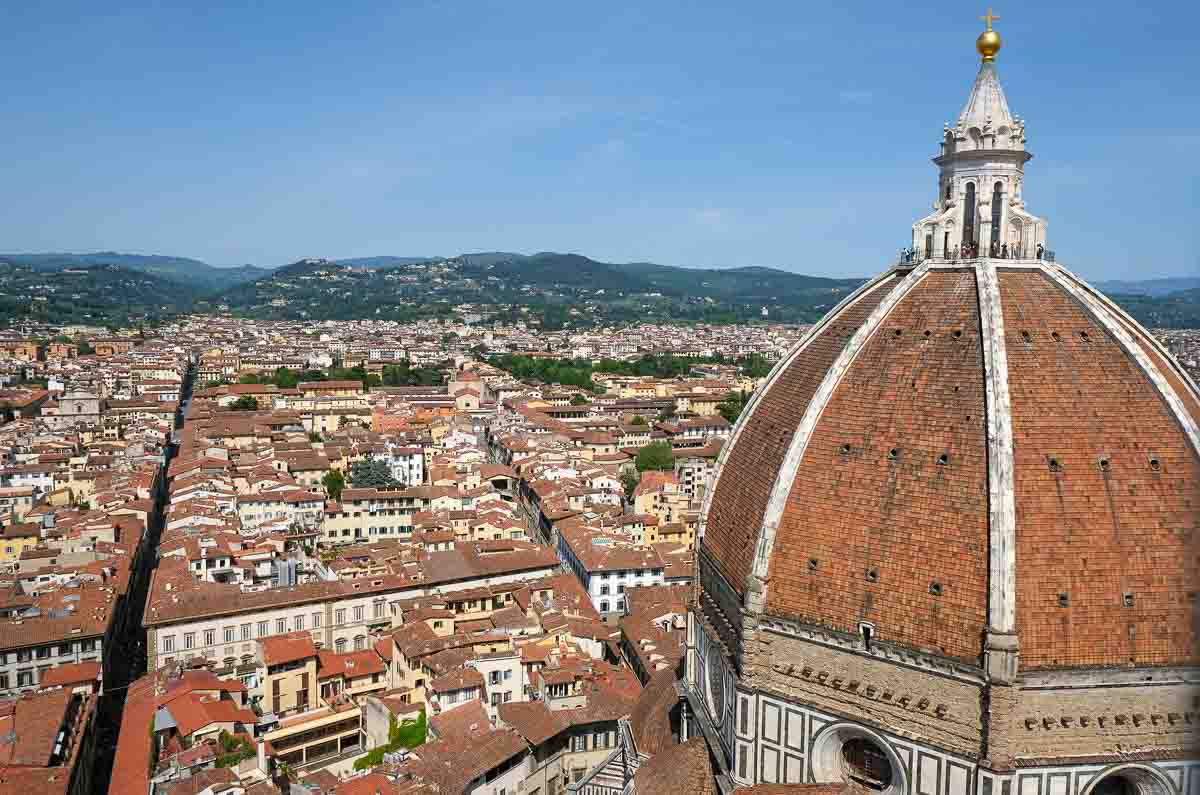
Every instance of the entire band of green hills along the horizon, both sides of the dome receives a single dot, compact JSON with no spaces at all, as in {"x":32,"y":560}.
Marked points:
{"x":554,"y":290}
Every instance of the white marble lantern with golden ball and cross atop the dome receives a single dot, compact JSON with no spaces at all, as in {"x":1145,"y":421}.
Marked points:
{"x":980,"y":210}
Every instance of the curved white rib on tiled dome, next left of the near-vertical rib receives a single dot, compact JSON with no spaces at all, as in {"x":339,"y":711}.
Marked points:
{"x":787,"y":475}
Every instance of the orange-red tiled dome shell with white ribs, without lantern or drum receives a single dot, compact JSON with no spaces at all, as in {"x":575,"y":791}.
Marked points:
{"x":963,"y":451}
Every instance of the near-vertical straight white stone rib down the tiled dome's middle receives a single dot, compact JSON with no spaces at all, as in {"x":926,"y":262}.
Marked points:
{"x":1001,"y":498}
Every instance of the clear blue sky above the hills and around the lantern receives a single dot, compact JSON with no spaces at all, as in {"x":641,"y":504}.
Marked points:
{"x":783,"y":134}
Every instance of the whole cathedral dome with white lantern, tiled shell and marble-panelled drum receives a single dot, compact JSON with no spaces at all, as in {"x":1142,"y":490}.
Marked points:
{"x":952,"y":546}
